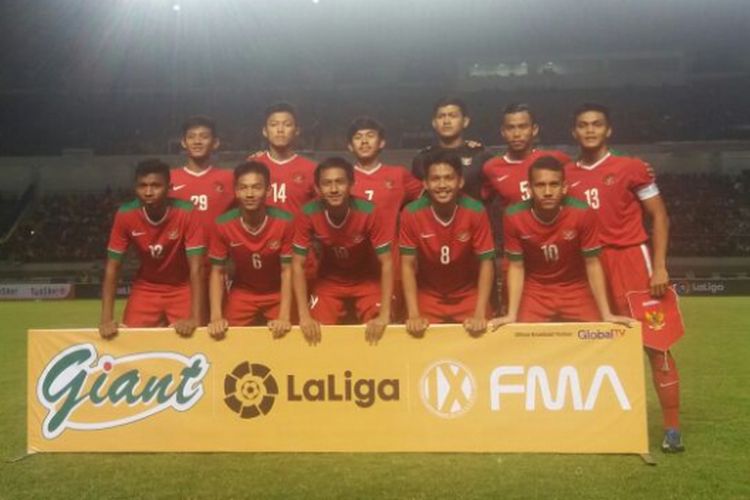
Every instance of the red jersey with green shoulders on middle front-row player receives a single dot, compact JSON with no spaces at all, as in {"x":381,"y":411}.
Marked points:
{"x":349,"y":249}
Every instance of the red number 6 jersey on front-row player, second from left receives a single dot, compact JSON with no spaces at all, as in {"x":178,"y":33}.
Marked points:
{"x":257,"y":255}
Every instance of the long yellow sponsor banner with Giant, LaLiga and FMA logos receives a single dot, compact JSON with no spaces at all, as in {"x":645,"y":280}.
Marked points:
{"x":570,"y":388}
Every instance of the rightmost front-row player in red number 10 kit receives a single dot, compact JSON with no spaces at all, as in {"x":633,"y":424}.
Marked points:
{"x":552,"y":241}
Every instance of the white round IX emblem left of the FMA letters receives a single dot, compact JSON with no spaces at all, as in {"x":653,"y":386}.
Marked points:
{"x":448,"y":389}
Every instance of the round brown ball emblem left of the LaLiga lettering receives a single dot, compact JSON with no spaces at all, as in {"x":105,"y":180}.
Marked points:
{"x":250,"y":390}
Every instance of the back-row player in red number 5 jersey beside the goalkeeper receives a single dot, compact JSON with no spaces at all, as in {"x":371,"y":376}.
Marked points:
{"x":508,"y":174}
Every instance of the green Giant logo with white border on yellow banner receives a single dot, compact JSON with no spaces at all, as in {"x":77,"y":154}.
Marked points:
{"x":76,"y":382}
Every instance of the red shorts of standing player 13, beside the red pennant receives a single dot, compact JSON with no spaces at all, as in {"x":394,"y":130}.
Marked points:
{"x":627,"y":269}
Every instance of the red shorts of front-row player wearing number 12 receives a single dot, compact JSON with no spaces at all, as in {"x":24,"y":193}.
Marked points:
{"x":151,"y":305}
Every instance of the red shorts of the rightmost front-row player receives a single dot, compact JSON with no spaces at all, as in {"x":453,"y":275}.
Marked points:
{"x":541,"y":303}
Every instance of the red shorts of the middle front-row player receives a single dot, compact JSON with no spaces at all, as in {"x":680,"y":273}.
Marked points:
{"x":328,"y":301}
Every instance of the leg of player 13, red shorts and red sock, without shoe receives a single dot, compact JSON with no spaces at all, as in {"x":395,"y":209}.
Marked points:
{"x":629,"y":269}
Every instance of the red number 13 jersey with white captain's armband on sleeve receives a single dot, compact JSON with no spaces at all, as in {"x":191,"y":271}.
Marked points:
{"x":614,"y":187}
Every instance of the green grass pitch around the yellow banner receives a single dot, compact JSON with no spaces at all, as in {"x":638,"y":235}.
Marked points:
{"x":714,"y":358}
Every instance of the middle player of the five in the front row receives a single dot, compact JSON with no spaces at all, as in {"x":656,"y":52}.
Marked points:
{"x":356,"y":262}
